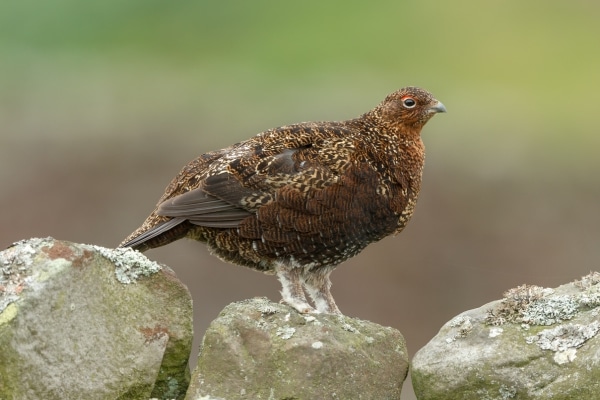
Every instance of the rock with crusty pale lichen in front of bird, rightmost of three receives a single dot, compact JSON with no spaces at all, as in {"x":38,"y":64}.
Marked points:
{"x":536,"y":343}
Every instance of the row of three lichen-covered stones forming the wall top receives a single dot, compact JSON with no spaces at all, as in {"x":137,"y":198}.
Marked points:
{"x":86,"y":322}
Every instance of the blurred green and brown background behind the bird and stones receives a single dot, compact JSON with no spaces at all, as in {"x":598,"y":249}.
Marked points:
{"x":101,"y":103}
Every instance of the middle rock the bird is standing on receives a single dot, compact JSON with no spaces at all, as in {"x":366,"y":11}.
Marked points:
{"x":257,"y":349}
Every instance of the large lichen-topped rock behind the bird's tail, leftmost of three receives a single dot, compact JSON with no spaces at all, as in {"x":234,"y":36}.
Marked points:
{"x":85,"y":322}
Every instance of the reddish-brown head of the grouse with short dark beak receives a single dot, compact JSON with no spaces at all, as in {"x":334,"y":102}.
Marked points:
{"x":407,"y":109}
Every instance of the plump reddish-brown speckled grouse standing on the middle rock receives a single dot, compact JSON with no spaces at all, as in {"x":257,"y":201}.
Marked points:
{"x":298,"y":200}
